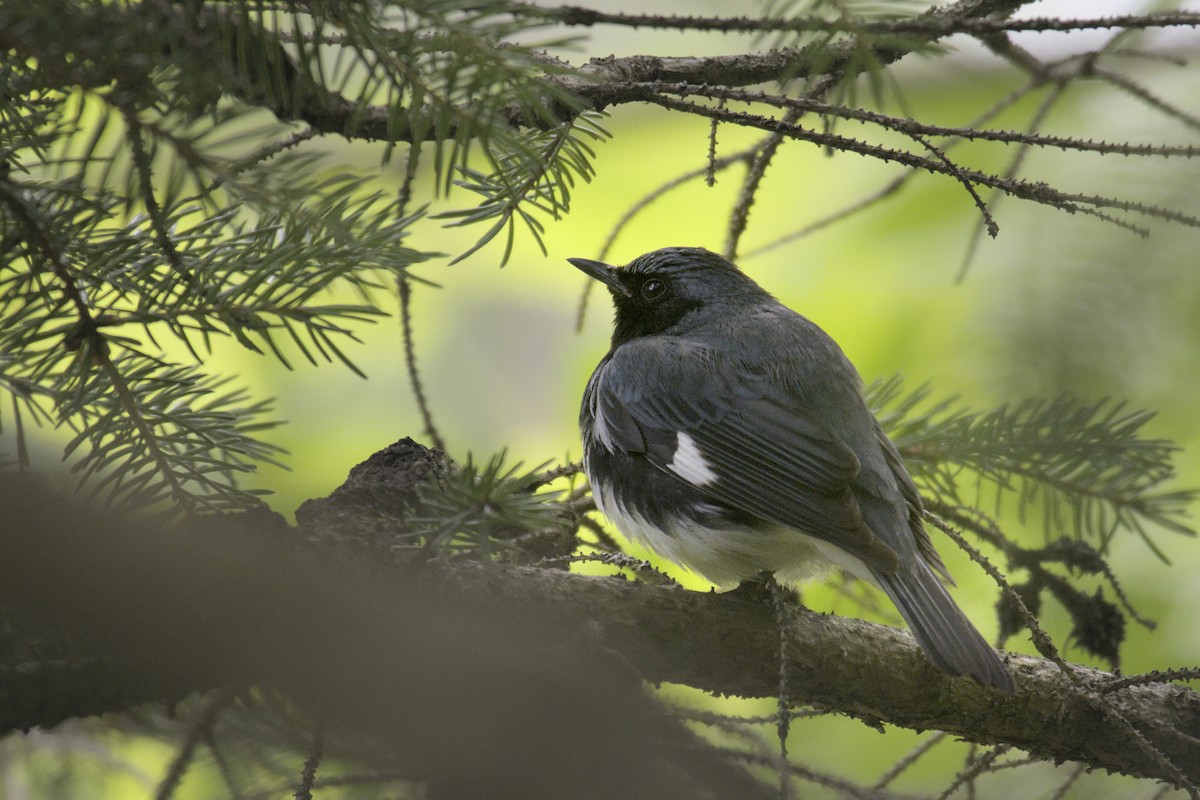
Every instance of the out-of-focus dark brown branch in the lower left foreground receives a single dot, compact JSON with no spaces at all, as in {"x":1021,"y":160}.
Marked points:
{"x":416,"y":675}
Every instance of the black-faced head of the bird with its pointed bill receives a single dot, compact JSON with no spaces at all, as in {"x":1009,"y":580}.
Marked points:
{"x":669,"y":291}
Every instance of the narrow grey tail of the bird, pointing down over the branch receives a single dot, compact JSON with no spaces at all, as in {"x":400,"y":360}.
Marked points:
{"x":943,"y":630}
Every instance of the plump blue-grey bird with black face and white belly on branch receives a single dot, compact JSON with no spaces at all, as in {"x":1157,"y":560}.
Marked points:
{"x":730,"y":435}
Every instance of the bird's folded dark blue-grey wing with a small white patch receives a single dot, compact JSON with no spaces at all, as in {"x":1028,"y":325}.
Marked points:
{"x":747,"y":444}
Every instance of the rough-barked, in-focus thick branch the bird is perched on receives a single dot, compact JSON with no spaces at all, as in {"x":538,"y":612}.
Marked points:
{"x":729,"y":647}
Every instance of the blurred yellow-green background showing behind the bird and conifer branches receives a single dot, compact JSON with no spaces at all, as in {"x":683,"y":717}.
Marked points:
{"x":1058,"y":303}
